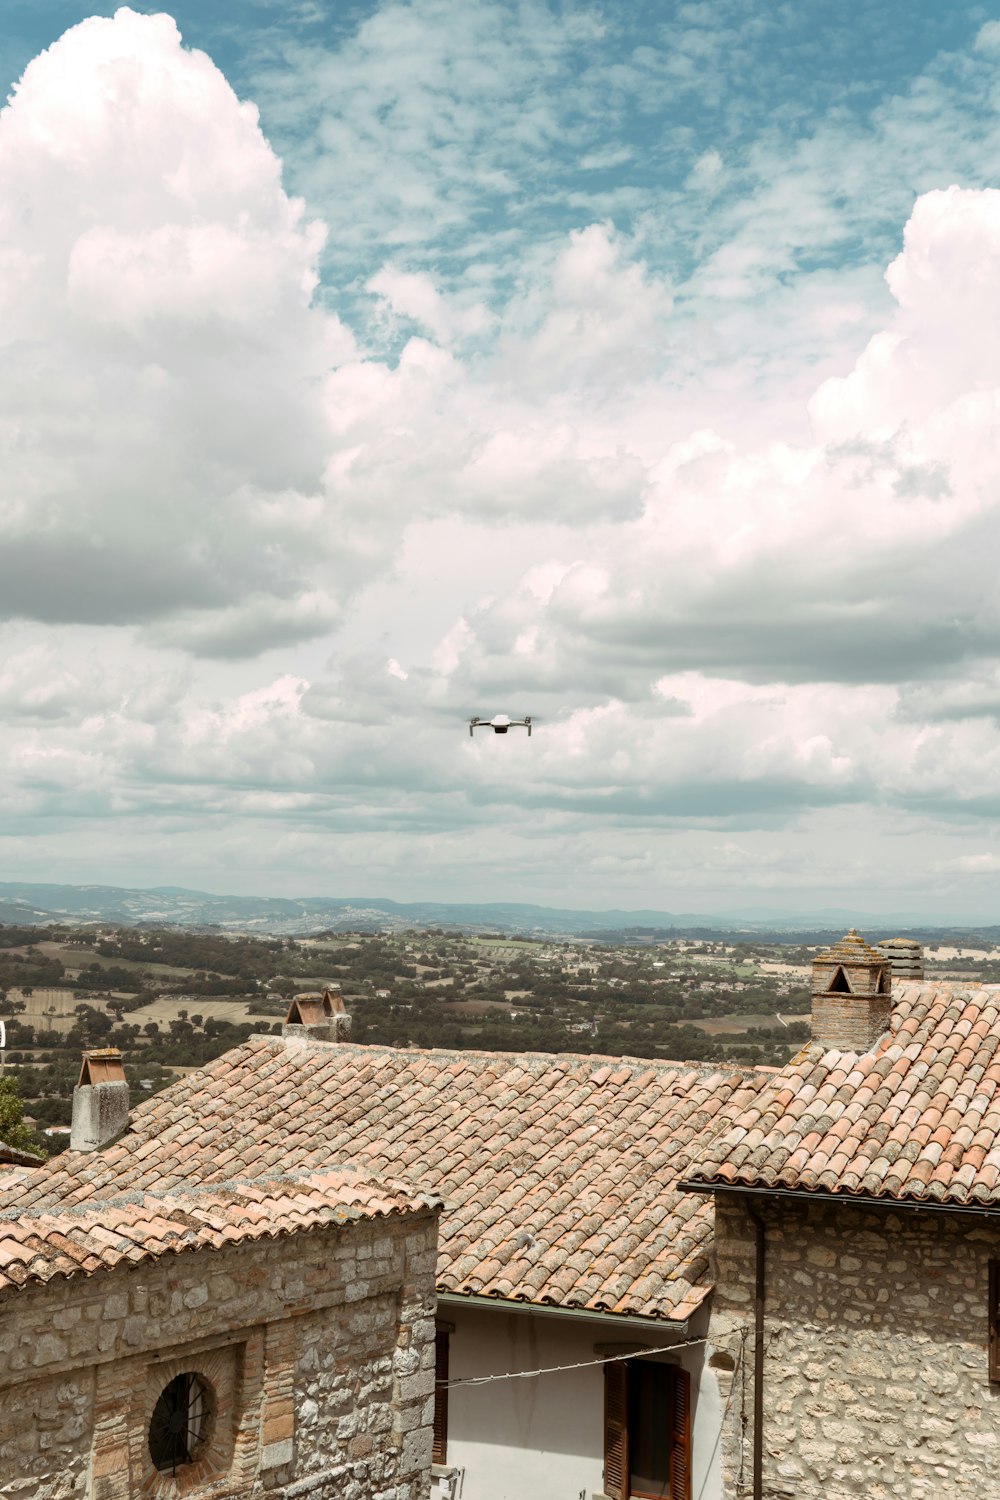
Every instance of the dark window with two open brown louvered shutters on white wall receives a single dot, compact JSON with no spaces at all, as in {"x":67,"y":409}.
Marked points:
{"x":647,"y":1432}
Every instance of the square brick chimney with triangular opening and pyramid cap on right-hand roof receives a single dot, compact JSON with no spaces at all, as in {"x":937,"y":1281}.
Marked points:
{"x":852,"y":1000}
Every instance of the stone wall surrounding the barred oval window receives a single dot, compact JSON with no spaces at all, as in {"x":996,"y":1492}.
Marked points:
{"x":319,"y":1349}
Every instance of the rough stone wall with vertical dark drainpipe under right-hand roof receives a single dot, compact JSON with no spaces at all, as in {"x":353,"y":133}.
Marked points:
{"x":876,"y":1352}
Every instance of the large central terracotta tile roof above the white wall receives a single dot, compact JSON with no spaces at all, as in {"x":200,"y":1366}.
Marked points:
{"x":558,"y":1172}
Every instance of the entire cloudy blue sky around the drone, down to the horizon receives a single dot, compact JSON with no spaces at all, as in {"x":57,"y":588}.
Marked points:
{"x":367,"y":367}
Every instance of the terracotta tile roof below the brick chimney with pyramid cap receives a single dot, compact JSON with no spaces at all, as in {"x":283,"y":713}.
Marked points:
{"x":918,"y":1118}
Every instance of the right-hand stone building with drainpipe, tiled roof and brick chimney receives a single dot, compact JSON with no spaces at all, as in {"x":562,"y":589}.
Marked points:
{"x":857,"y":1313}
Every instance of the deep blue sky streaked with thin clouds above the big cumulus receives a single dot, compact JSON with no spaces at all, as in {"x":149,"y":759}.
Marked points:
{"x":513,"y":124}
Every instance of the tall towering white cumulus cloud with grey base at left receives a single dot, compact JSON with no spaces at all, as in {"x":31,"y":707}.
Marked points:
{"x":161,"y":362}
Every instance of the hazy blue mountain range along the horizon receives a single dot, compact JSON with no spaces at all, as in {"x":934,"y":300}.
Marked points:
{"x":169,"y":905}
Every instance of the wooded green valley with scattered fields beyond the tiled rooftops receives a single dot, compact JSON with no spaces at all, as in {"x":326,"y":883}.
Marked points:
{"x":175,"y":998}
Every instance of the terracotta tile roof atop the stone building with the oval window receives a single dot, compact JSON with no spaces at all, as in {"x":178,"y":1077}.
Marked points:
{"x":53,"y":1238}
